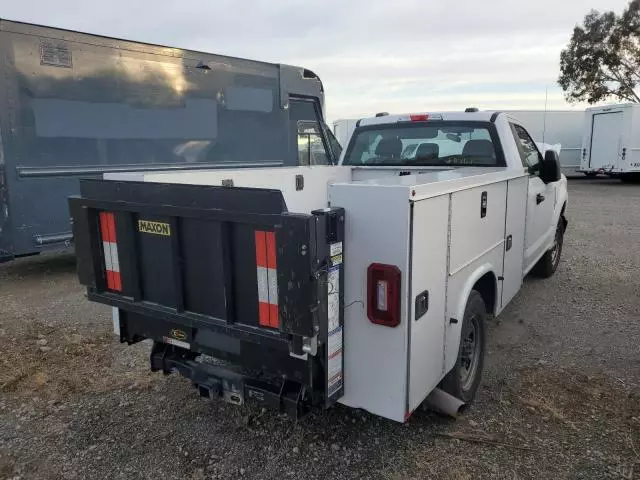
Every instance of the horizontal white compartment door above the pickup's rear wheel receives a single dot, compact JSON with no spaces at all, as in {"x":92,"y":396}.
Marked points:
{"x":471,"y":234}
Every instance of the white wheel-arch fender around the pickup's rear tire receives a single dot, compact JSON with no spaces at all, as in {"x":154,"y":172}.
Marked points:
{"x":457,"y":311}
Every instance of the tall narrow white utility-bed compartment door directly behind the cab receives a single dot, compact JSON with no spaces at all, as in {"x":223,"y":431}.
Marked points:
{"x":515,"y":229}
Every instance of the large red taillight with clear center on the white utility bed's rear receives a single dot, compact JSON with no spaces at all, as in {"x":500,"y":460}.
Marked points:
{"x":383,"y":294}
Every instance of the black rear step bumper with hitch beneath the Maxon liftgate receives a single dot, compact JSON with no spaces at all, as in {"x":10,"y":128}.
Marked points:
{"x":217,"y":382}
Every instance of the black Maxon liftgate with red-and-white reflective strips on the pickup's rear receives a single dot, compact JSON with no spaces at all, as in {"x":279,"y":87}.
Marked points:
{"x":238,"y":295}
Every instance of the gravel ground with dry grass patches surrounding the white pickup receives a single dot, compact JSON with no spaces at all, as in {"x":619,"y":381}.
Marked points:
{"x":560,"y":397}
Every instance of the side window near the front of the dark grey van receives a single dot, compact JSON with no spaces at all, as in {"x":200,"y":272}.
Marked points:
{"x":307,"y":133}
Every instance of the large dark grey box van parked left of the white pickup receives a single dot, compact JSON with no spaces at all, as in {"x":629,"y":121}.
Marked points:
{"x":78,"y":105}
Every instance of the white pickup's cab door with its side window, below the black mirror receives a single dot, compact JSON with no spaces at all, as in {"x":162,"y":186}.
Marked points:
{"x":540,"y":200}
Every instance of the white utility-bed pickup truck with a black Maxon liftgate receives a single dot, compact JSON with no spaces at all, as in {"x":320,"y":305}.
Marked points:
{"x":365,"y":283}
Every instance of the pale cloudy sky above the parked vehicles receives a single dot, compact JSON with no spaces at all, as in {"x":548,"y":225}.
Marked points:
{"x":393,"y":55}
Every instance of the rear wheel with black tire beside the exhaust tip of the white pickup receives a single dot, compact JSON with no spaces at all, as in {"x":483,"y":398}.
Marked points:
{"x":464,"y":378}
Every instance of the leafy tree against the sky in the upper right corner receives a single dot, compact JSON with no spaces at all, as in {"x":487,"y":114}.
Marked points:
{"x":602,"y":59}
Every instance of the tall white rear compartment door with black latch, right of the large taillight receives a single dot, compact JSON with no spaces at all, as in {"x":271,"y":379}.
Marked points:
{"x":430,"y":230}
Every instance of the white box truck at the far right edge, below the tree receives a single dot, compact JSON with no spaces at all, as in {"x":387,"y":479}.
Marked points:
{"x":611,"y":141}
